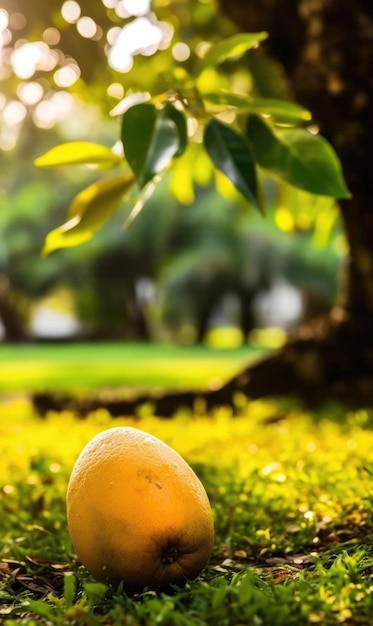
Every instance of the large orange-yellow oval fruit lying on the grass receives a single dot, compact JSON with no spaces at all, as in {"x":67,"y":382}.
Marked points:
{"x":137,"y":512}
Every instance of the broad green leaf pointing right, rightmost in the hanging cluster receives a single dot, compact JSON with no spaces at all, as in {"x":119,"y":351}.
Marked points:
{"x":298,"y":157}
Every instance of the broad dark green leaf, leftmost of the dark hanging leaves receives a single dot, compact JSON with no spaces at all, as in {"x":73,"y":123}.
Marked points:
{"x":150,"y":140}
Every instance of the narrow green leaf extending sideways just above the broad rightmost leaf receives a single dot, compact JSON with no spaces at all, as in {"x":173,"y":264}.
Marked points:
{"x":280,"y":110}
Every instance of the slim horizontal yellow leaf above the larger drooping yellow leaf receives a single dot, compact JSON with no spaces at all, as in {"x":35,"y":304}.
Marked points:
{"x":78,"y":153}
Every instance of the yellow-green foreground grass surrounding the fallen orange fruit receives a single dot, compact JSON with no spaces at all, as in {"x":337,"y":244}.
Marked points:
{"x":292,"y":500}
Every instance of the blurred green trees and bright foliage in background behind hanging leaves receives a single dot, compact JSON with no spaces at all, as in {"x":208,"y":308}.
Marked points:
{"x":195,"y":258}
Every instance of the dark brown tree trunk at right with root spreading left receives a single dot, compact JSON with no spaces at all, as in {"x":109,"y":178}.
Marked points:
{"x":326,"y":50}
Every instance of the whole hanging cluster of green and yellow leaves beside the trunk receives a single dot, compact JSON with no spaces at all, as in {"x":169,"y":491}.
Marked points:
{"x":240,"y":135}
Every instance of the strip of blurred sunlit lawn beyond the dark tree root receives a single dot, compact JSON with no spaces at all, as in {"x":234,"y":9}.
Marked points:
{"x":79,"y":367}
